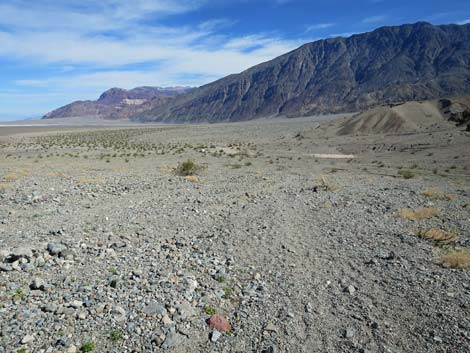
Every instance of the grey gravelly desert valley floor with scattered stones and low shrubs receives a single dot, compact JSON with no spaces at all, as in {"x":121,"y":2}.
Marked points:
{"x":304,"y":240}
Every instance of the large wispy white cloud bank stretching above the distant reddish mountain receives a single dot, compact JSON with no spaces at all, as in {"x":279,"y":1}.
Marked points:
{"x":113,"y":43}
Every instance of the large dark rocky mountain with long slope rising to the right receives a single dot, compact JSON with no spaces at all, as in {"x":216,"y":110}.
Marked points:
{"x":418,"y":61}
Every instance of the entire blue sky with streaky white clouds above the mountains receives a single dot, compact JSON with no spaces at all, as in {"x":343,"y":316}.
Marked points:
{"x":53,"y":52}
